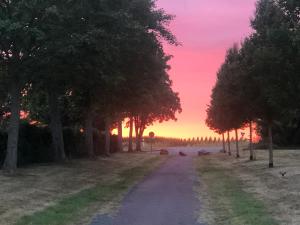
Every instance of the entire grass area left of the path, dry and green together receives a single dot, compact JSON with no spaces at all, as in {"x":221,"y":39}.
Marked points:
{"x":71,"y":193}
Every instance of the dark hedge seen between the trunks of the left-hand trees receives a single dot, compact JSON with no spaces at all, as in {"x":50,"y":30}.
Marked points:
{"x":35,"y":144}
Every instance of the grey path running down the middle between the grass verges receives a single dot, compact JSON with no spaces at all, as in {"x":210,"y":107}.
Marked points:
{"x":164,"y":198}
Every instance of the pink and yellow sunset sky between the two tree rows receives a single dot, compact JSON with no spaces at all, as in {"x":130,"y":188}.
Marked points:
{"x":206,"y":28}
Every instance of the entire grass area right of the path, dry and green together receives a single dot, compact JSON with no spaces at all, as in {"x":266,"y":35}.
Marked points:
{"x":240,"y":192}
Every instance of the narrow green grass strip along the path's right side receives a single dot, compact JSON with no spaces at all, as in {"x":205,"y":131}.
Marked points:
{"x":231,"y":205}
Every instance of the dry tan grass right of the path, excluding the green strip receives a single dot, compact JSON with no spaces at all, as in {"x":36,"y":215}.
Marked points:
{"x":279,"y":194}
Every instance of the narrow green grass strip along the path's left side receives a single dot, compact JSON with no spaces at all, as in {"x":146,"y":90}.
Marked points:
{"x":72,"y":208}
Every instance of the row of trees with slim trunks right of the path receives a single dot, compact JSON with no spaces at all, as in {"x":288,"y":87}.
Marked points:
{"x":259,"y":81}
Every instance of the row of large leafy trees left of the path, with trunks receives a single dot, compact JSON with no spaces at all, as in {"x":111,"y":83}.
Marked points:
{"x":85,"y":64}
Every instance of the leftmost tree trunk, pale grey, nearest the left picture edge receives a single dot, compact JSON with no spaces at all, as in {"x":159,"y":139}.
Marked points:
{"x":10,"y":163}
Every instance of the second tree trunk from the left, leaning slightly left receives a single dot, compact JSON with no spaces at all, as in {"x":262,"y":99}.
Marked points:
{"x":56,"y":127}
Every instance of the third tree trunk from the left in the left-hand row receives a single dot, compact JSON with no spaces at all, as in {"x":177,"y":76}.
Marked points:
{"x":88,"y":134}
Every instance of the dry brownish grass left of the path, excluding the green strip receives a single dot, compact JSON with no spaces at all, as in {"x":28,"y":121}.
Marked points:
{"x":41,"y":187}
